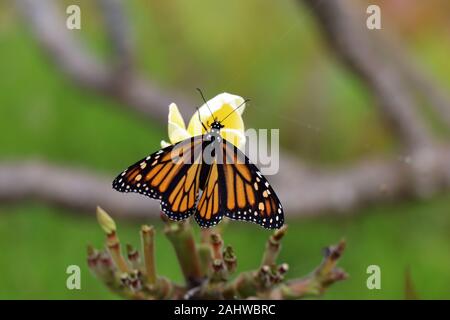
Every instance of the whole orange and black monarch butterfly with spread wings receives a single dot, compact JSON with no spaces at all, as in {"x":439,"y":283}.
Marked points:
{"x":205,"y":176}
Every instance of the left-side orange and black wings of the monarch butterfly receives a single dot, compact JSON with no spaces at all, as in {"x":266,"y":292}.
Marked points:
{"x":171,"y":175}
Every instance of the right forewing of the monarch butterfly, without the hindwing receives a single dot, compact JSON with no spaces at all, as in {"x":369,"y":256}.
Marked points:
{"x":248,"y":195}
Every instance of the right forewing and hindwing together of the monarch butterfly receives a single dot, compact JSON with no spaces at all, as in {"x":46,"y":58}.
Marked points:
{"x":234,"y":187}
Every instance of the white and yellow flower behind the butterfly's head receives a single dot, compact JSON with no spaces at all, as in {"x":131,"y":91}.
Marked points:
{"x":221,"y":106}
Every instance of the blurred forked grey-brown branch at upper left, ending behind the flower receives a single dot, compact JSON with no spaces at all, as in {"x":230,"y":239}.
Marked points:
{"x":117,"y":80}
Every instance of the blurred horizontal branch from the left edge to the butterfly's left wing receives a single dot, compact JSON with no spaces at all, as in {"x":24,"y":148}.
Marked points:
{"x":78,"y":189}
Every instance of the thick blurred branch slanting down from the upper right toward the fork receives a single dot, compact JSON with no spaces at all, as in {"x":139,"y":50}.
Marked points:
{"x":347,"y":34}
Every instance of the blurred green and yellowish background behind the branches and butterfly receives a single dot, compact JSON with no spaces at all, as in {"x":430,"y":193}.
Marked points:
{"x":278,"y":58}
